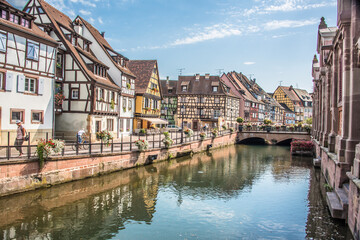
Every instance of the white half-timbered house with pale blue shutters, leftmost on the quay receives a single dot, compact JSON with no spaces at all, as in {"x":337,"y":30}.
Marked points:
{"x":27,"y":64}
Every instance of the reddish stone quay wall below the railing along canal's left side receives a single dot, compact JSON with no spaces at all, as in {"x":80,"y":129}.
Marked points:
{"x":25,"y":175}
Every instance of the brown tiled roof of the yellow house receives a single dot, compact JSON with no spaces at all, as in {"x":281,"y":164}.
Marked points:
{"x":142,"y":70}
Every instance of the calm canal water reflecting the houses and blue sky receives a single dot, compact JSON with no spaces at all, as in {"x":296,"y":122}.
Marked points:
{"x":238,"y":192}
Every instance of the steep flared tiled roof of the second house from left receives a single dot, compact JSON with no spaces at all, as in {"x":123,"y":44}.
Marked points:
{"x":57,"y":17}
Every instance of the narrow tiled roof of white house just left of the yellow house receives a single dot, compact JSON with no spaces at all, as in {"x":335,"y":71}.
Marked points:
{"x":105,"y":45}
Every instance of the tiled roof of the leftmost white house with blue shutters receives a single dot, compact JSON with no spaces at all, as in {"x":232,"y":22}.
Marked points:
{"x":34,"y":30}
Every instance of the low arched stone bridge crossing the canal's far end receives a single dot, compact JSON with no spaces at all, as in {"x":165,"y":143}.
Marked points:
{"x":273,"y":137}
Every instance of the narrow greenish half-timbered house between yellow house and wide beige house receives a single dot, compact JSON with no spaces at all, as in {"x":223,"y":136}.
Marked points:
{"x":169,"y":101}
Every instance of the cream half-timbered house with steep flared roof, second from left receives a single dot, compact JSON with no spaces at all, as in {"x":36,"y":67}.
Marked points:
{"x":91,"y":98}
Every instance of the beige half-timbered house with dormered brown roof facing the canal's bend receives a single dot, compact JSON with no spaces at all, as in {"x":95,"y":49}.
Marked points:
{"x":205,"y":100}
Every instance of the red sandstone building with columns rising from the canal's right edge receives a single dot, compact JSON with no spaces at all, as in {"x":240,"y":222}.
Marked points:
{"x":336,"y":128}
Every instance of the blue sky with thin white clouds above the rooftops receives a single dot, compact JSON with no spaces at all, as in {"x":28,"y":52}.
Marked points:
{"x":272,"y":41}
